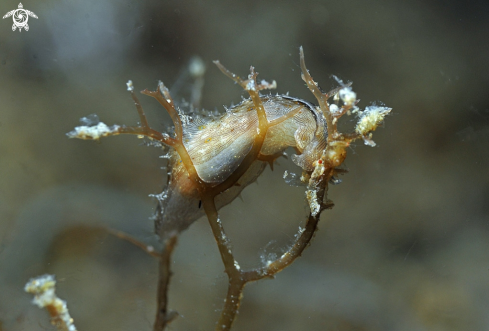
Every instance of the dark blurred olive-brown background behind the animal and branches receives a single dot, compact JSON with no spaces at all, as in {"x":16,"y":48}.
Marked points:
{"x":406,"y":246}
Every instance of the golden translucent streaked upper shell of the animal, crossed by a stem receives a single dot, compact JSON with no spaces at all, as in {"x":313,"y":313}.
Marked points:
{"x":218,"y":146}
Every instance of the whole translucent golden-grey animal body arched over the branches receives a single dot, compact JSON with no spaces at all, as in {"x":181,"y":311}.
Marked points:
{"x":218,"y":146}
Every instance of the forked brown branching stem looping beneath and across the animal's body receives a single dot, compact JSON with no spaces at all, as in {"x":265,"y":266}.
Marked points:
{"x":237,"y":277}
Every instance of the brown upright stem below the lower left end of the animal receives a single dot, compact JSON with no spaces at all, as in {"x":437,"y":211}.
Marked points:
{"x":163,"y":316}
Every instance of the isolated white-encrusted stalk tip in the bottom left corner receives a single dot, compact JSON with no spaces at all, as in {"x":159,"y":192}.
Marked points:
{"x":43,"y":288}
